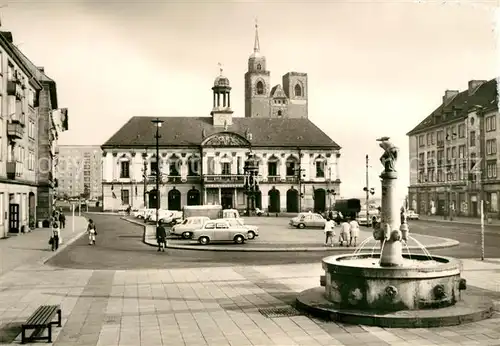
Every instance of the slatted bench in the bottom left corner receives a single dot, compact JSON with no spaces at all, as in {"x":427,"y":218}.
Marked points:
{"x":40,"y":320}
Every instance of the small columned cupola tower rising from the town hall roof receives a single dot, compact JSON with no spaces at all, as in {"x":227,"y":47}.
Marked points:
{"x":222,"y":114}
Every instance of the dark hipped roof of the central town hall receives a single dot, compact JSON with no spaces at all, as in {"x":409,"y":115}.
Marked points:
{"x":191,"y":131}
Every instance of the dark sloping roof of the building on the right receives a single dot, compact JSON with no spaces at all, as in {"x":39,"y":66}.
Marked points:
{"x":485,"y":96}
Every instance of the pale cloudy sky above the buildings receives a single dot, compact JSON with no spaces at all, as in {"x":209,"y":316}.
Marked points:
{"x":375,"y":68}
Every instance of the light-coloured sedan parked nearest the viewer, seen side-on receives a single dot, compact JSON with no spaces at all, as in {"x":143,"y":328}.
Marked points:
{"x":219,"y":231}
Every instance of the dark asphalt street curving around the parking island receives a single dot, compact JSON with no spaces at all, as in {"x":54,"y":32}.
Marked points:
{"x":119,"y":246}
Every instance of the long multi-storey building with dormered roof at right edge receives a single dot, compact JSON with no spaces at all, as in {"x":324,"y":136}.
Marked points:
{"x":454,"y":154}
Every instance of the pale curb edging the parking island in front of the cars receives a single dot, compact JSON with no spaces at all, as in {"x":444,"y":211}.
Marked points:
{"x":445,"y":243}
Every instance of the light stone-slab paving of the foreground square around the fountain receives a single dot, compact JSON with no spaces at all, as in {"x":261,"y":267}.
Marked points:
{"x":210,"y":306}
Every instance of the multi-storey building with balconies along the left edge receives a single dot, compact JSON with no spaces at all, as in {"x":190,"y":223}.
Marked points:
{"x":26,"y":161}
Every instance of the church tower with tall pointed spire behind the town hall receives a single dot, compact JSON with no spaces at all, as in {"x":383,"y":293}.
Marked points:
{"x":257,"y":83}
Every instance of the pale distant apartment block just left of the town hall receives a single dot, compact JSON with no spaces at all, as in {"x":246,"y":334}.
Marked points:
{"x":79,"y":171}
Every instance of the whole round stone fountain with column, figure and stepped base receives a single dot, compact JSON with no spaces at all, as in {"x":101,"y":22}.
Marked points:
{"x":392,"y":289}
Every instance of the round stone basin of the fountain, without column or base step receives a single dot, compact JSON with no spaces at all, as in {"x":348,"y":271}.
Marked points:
{"x":359,"y":282}
